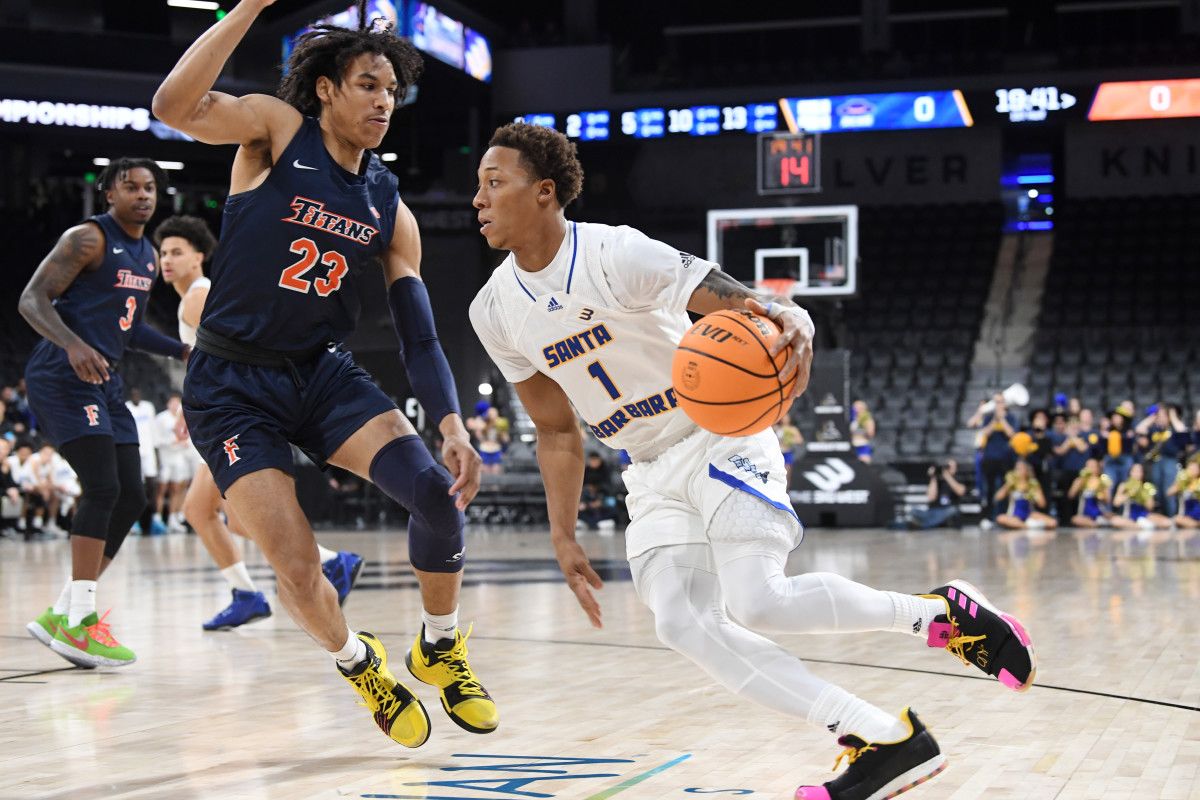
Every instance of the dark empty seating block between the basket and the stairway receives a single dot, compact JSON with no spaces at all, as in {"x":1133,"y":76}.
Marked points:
{"x":925,"y":278}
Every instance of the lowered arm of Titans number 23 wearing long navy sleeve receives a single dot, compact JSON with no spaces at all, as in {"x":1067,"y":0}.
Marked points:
{"x":422,"y":354}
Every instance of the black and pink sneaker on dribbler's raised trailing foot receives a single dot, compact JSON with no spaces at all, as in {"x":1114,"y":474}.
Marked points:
{"x":981,"y":635}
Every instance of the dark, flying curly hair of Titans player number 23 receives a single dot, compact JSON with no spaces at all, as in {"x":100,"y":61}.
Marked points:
{"x":328,"y":51}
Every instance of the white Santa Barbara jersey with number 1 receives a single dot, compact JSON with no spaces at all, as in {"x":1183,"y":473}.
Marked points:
{"x":602,"y":321}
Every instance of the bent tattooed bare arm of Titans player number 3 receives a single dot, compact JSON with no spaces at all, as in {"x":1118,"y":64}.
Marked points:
{"x":79,"y":249}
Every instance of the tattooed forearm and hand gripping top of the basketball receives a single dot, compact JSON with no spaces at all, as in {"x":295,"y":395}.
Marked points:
{"x":718,"y":291}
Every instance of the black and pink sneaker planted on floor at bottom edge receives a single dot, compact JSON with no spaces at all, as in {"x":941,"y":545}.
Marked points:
{"x":881,"y":771}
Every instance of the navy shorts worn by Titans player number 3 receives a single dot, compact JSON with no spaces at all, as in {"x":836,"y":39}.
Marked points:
{"x":68,"y":408}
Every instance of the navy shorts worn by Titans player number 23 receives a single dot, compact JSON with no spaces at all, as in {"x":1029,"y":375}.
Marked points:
{"x":244,"y":418}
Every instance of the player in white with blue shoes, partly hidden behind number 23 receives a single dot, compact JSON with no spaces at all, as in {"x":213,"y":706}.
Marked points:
{"x":184,"y":245}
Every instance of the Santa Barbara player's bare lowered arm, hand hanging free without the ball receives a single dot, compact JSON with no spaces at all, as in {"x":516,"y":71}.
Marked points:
{"x":561,"y":459}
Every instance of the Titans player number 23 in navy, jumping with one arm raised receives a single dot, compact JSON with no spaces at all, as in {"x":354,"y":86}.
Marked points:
{"x":310,"y":209}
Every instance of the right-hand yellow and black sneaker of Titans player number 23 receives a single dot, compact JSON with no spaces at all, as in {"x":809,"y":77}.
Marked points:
{"x":445,"y":665}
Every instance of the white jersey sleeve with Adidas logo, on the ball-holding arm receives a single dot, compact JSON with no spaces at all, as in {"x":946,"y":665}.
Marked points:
{"x":645,"y":274}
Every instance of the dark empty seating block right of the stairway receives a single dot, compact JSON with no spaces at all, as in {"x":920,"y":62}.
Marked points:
{"x":1117,"y":315}
